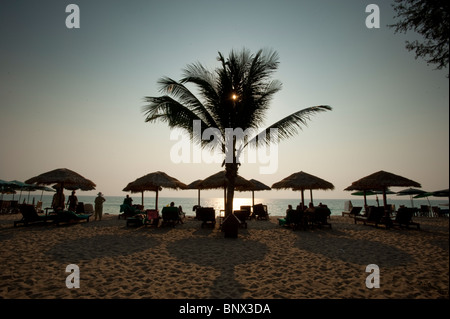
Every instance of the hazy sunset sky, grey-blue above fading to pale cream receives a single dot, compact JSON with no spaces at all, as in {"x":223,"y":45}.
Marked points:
{"x":73,"y":97}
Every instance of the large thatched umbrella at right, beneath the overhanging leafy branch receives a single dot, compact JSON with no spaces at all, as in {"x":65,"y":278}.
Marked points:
{"x":381,"y":181}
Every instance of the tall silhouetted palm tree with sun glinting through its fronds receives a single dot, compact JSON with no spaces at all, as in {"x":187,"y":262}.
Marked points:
{"x":235,"y":95}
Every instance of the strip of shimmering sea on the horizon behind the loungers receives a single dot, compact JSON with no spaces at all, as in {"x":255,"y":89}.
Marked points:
{"x":275,"y":206}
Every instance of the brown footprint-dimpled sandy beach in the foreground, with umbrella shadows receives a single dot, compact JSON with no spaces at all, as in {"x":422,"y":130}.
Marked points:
{"x":266,"y":261}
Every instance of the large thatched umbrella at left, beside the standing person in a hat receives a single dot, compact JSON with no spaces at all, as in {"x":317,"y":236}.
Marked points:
{"x":66,"y":178}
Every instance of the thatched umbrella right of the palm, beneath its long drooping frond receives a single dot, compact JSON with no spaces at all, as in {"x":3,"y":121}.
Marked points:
{"x":301,"y":181}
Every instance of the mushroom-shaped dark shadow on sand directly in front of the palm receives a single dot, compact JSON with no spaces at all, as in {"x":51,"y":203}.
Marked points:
{"x":223,"y":255}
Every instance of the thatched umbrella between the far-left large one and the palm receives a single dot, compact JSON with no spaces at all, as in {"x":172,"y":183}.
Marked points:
{"x":154,"y":182}
